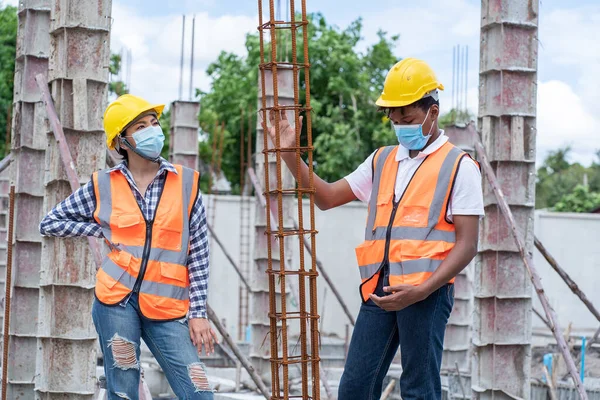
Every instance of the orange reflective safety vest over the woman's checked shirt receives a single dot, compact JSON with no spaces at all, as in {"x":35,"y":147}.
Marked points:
{"x":148,"y":257}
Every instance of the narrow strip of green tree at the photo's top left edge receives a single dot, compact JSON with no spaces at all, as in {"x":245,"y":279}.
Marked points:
{"x":8,"y":45}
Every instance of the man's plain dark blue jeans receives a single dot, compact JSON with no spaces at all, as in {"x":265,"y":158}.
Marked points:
{"x":418,"y":330}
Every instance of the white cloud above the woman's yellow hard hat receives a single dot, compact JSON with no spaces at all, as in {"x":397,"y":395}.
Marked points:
{"x":155,"y":43}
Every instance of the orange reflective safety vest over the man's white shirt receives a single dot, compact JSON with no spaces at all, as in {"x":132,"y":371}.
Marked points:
{"x":410,"y":237}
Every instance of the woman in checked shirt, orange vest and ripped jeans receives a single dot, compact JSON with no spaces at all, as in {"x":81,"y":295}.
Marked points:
{"x":153,"y":282}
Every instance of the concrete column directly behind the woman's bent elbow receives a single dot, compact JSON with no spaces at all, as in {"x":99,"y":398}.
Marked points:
{"x":78,"y":77}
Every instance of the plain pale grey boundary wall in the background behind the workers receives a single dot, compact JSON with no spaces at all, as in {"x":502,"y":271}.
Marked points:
{"x":342,"y":228}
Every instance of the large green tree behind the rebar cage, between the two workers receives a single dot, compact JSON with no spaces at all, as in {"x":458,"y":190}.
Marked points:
{"x":344,"y":82}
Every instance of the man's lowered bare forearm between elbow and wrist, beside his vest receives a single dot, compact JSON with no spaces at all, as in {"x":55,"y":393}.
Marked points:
{"x":459,"y":257}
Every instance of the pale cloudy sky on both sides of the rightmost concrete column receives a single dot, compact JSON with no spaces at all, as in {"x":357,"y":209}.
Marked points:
{"x":568,"y":96}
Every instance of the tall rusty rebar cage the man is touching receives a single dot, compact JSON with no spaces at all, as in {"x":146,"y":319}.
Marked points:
{"x":307,"y":356}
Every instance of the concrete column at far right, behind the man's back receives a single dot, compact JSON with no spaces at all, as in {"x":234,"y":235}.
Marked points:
{"x":507,"y":121}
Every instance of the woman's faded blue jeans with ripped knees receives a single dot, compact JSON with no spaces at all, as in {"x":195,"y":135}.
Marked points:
{"x":120,"y":329}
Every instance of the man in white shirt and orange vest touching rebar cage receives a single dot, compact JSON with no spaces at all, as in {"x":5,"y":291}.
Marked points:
{"x":425,"y":201}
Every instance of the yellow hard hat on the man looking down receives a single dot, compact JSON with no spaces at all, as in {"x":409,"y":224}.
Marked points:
{"x":407,"y":82}
